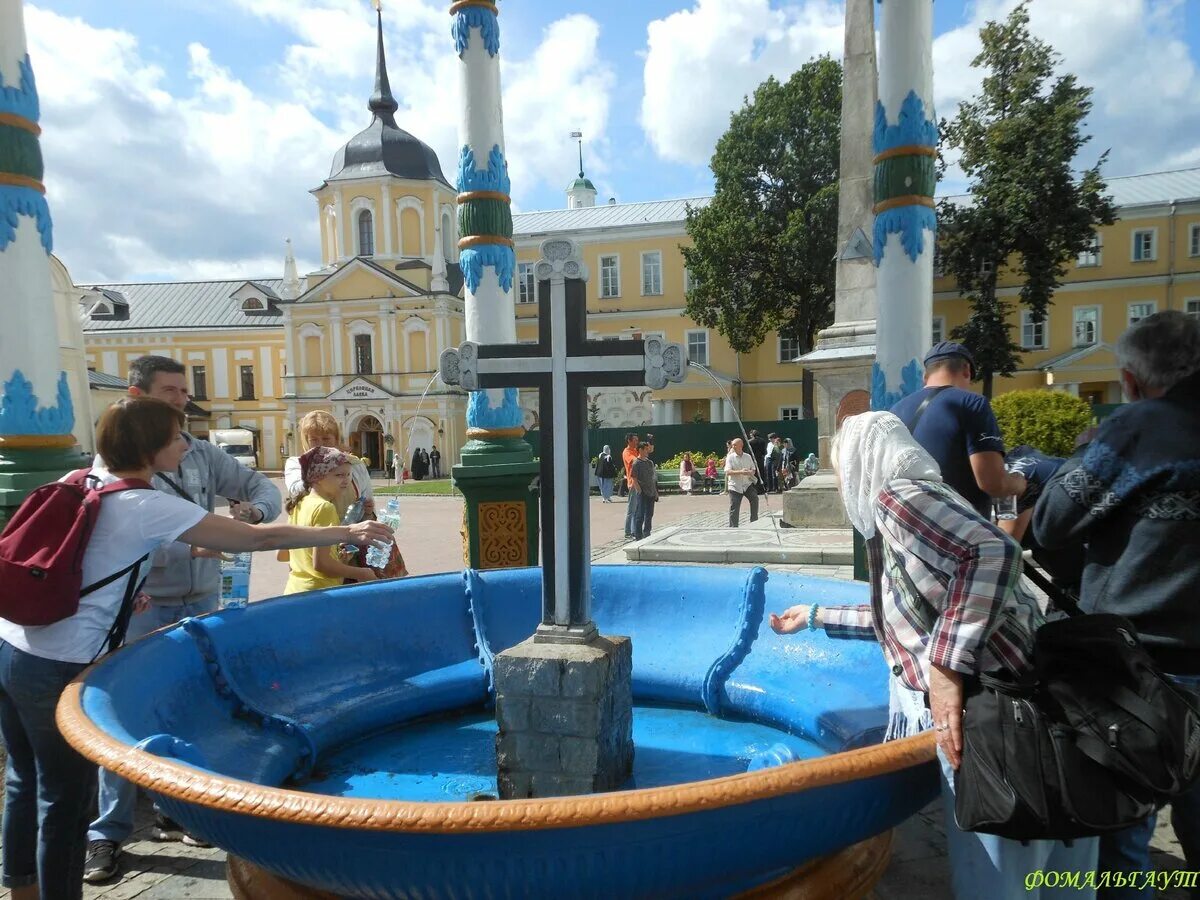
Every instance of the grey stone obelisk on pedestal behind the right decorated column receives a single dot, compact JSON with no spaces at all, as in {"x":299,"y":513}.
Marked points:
{"x":842,"y":361}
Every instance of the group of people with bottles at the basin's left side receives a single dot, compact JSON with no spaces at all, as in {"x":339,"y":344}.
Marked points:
{"x":160,"y":535}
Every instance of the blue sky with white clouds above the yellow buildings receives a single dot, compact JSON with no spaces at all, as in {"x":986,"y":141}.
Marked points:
{"x":182,"y":139}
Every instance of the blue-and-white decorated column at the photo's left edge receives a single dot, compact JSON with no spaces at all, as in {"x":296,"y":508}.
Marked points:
{"x":37,"y":413}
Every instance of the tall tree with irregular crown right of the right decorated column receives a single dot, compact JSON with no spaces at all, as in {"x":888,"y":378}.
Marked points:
{"x":1029,"y":211}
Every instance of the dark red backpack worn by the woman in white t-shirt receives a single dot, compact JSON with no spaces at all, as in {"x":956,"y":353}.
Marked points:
{"x":43,"y":548}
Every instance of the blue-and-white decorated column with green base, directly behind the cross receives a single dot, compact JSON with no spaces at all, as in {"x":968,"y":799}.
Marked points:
{"x":497,"y":467}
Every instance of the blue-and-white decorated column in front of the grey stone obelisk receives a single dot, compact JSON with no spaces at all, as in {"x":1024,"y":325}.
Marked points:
{"x":905,"y":226}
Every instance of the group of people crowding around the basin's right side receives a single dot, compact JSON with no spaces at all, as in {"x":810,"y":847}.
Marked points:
{"x":949,"y":603}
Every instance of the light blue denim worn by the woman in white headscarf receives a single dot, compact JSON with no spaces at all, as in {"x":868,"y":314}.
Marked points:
{"x":985,"y":867}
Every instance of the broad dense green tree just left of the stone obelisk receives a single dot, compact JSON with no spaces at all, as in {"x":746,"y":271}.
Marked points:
{"x":763,"y":255}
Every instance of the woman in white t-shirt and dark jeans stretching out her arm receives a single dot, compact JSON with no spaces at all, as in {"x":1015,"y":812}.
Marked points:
{"x":50,"y":789}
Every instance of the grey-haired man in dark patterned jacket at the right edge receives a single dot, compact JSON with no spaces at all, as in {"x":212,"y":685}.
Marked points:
{"x":1133,"y":495}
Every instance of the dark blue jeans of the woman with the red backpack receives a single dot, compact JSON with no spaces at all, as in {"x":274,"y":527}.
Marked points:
{"x":49,"y":787}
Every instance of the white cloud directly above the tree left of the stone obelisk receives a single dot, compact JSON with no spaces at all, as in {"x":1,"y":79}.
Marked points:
{"x":703,"y":62}
